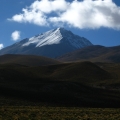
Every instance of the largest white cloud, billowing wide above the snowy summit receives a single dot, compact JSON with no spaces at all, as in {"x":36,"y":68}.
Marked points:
{"x":90,"y":14}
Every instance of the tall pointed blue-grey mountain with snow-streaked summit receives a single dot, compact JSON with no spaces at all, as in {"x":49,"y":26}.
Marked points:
{"x":51,"y":44}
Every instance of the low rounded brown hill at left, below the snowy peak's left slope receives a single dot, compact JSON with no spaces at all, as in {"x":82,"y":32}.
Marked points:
{"x":27,"y":60}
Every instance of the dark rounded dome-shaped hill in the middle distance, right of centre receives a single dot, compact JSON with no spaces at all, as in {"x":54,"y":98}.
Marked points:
{"x":80,"y":71}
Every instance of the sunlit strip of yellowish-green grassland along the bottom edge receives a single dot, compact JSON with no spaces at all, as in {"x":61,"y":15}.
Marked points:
{"x":58,"y":113}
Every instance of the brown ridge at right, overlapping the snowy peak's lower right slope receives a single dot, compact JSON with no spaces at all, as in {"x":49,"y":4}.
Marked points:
{"x":95,"y":53}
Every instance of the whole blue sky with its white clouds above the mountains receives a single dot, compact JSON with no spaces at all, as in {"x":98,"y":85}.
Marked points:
{"x":98,"y":20}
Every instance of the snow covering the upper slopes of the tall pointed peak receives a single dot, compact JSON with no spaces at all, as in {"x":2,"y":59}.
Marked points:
{"x":55,"y":36}
